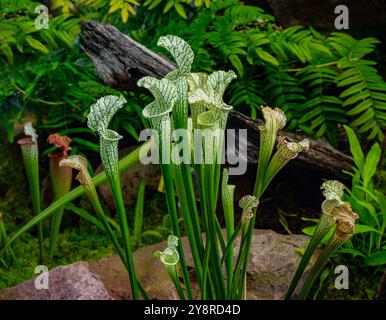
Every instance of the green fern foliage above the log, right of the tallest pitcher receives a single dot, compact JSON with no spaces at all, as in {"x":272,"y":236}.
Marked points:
{"x":320,"y":81}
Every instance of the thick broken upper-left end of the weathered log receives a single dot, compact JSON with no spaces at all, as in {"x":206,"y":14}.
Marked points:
{"x":120,"y":61}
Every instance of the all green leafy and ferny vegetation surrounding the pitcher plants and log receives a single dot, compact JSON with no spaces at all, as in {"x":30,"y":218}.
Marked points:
{"x":321,"y":81}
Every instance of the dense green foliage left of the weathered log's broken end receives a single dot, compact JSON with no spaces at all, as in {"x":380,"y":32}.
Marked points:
{"x":46,"y":73}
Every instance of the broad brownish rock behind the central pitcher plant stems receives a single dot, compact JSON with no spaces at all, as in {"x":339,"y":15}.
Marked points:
{"x":273,"y":261}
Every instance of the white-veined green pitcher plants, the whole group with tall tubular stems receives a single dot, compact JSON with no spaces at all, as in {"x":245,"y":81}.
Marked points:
{"x":188,"y":119}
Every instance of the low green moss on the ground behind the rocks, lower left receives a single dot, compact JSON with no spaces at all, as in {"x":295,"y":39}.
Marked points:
{"x":82,"y":241}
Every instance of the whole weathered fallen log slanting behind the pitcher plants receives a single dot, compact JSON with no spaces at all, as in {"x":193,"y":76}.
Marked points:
{"x":120,"y":61}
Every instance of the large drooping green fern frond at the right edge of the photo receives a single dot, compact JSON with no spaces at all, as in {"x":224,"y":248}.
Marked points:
{"x":364,"y":91}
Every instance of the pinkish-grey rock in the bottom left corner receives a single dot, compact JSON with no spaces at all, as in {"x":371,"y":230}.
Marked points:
{"x":71,"y":282}
